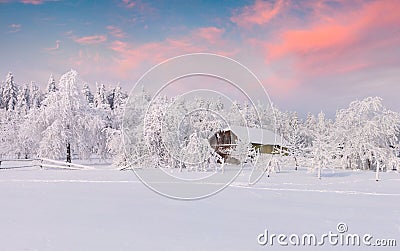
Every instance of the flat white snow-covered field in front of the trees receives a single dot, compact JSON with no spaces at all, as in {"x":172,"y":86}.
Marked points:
{"x":112,"y":210}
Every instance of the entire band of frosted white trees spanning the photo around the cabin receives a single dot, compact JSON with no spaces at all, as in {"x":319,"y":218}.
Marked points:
{"x":69,"y":120}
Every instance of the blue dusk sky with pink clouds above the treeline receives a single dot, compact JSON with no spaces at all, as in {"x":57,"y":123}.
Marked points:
{"x":310,"y":55}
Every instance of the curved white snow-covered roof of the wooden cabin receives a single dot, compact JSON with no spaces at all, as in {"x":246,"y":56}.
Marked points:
{"x":257,"y":135}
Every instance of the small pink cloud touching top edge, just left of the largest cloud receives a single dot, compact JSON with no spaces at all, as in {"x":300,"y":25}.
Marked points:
{"x":261,"y":12}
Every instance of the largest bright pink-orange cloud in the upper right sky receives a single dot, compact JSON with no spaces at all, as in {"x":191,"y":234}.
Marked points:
{"x":341,"y":41}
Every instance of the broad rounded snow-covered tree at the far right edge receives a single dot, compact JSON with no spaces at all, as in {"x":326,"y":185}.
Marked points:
{"x":367,"y":133}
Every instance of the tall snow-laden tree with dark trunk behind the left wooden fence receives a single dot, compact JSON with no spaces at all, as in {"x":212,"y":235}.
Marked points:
{"x":65,"y":120}
